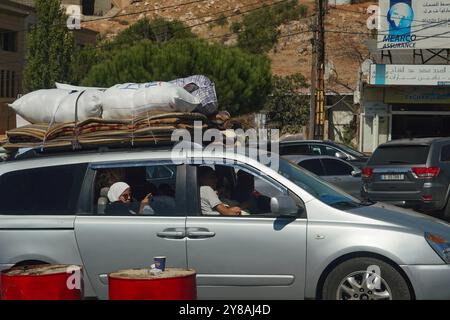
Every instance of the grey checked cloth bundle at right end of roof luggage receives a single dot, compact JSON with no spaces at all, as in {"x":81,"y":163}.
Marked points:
{"x":203,"y":88}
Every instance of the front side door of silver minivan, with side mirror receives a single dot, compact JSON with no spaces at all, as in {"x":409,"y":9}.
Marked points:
{"x":258,"y":256}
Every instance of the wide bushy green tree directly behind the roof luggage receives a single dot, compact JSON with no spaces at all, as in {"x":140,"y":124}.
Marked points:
{"x":242,"y":79}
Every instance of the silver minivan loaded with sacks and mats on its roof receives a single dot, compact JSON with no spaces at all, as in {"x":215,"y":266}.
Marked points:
{"x":309,"y":241}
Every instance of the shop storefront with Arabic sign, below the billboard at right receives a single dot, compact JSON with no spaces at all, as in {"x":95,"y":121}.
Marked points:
{"x":406,"y":102}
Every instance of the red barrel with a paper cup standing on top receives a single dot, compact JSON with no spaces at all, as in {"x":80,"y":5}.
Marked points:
{"x":141,"y":284}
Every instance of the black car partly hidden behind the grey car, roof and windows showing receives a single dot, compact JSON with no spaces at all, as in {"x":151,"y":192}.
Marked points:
{"x":323,"y":148}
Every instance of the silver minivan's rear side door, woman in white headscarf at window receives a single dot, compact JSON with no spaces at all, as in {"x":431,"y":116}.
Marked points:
{"x":109,"y":243}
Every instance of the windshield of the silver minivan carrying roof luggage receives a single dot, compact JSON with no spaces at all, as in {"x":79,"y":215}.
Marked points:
{"x":317,"y":187}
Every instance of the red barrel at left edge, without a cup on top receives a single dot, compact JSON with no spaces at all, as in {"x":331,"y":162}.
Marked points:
{"x":41,"y":282}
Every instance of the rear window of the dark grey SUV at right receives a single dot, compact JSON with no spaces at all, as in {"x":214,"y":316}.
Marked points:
{"x":409,"y":154}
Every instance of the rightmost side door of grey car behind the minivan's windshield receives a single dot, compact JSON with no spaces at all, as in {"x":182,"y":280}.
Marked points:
{"x":339,"y":173}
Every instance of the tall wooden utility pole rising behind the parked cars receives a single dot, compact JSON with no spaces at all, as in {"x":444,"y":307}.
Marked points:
{"x":317,"y":112}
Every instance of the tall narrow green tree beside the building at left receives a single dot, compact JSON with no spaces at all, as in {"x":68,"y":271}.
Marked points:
{"x":50,"y":47}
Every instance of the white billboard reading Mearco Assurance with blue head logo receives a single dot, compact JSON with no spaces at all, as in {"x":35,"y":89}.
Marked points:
{"x":414,"y":24}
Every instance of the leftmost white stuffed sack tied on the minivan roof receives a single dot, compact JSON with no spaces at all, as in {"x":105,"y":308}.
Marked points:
{"x":58,"y":105}
